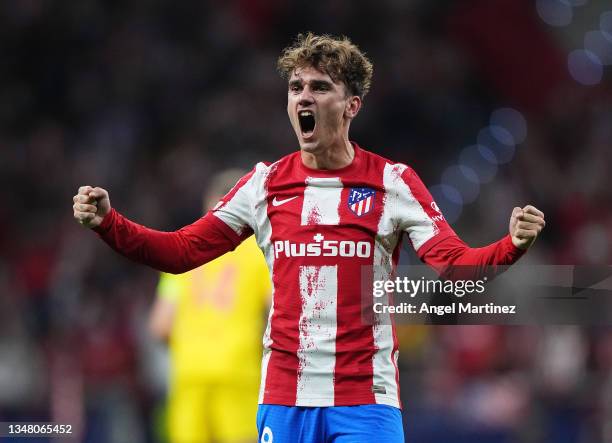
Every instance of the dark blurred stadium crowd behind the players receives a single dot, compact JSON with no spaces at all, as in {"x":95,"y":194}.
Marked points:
{"x":147,"y":98}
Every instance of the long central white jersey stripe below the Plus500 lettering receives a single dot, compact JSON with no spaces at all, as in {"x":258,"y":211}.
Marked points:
{"x":317,"y":348}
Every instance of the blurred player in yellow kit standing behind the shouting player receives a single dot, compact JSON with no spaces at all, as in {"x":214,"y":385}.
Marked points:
{"x":210,"y":317}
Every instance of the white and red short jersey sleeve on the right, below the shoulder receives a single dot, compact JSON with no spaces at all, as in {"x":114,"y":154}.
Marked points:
{"x":419,"y":215}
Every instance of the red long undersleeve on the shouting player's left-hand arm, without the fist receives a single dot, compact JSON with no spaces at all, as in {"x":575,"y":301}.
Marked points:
{"x":173,"y":252}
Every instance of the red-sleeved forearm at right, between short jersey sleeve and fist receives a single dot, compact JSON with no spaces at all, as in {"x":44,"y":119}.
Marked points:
{"x":453,"y":258}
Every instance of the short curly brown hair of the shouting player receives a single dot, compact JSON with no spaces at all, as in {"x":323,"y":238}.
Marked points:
{"x":337,"y":56}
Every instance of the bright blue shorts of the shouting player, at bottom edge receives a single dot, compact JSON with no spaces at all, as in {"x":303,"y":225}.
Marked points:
{"x":334,"y":424}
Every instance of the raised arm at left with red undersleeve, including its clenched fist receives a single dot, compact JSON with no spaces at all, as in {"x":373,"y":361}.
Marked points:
{"x":174,"y":252}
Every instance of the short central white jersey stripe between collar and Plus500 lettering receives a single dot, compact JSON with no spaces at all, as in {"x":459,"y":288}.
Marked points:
{"x":321,"y":201}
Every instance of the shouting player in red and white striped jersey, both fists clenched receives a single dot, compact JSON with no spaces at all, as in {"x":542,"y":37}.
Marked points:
{"x":319,"y":215}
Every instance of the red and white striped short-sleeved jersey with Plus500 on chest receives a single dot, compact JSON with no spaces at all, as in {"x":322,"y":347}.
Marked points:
{"x":317,"y":229}
